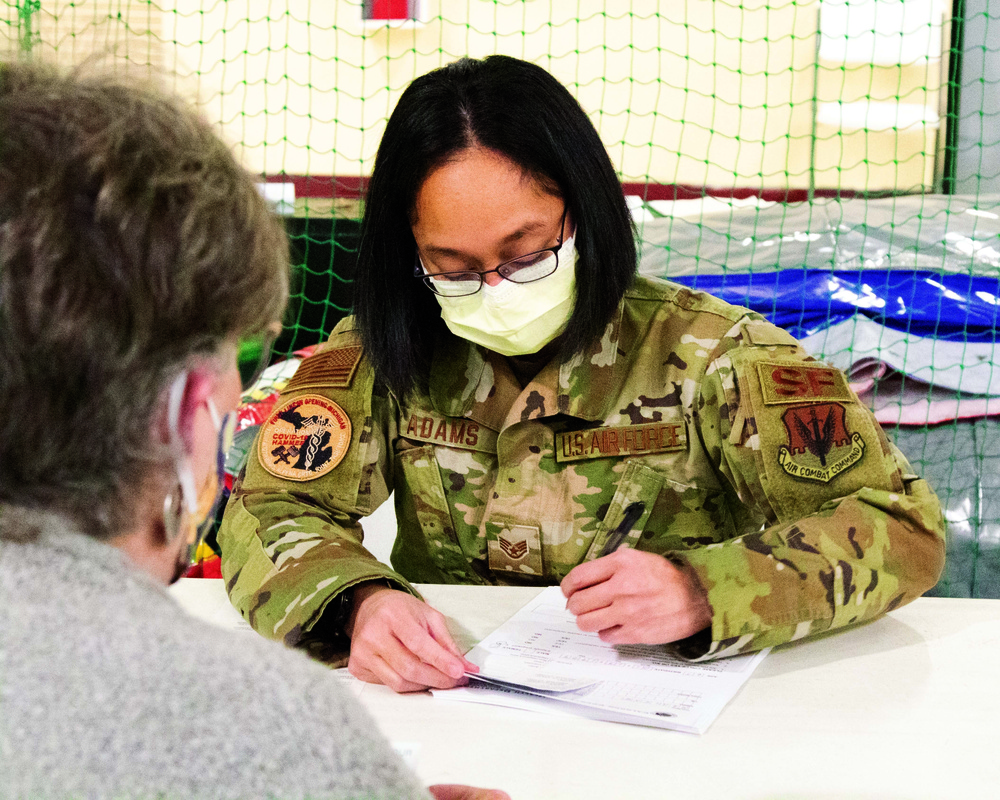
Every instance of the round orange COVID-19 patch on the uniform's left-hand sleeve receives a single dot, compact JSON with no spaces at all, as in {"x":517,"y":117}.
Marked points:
{"x":304,"y":438}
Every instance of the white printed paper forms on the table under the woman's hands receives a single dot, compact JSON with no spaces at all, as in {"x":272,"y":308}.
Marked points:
{"x":540,"y":659}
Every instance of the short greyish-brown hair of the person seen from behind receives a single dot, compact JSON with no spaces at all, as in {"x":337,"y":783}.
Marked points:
{"x":131,"y":242}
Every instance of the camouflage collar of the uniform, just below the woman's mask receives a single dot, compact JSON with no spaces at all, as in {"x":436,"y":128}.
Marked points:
{"x":467,"y":380}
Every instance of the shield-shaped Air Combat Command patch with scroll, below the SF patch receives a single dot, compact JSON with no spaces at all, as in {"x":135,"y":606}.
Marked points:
{"x":820,"y":446}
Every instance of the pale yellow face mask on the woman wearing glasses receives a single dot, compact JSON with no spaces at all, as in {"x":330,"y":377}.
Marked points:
{"x":515,"y":319}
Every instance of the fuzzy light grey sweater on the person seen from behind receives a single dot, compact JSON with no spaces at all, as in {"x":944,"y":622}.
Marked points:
{"x":108,"y":689}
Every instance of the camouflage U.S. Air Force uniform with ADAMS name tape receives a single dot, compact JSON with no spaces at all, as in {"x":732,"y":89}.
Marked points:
{"x":756,"y":466}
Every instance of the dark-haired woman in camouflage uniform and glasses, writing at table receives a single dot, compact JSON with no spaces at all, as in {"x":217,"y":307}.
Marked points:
{"x":685,"y":470}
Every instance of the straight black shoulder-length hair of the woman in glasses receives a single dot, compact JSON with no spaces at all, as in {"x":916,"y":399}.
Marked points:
{"x":519,"y":110}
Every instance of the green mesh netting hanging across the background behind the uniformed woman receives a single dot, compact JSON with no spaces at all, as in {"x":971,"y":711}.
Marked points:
{"x":850,"y":142}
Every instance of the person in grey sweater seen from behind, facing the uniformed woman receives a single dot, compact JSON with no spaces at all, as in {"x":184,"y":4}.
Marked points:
{"x":134,"y":253}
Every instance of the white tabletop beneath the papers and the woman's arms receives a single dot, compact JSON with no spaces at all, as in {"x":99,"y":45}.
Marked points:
{"x":906,"y":707}
